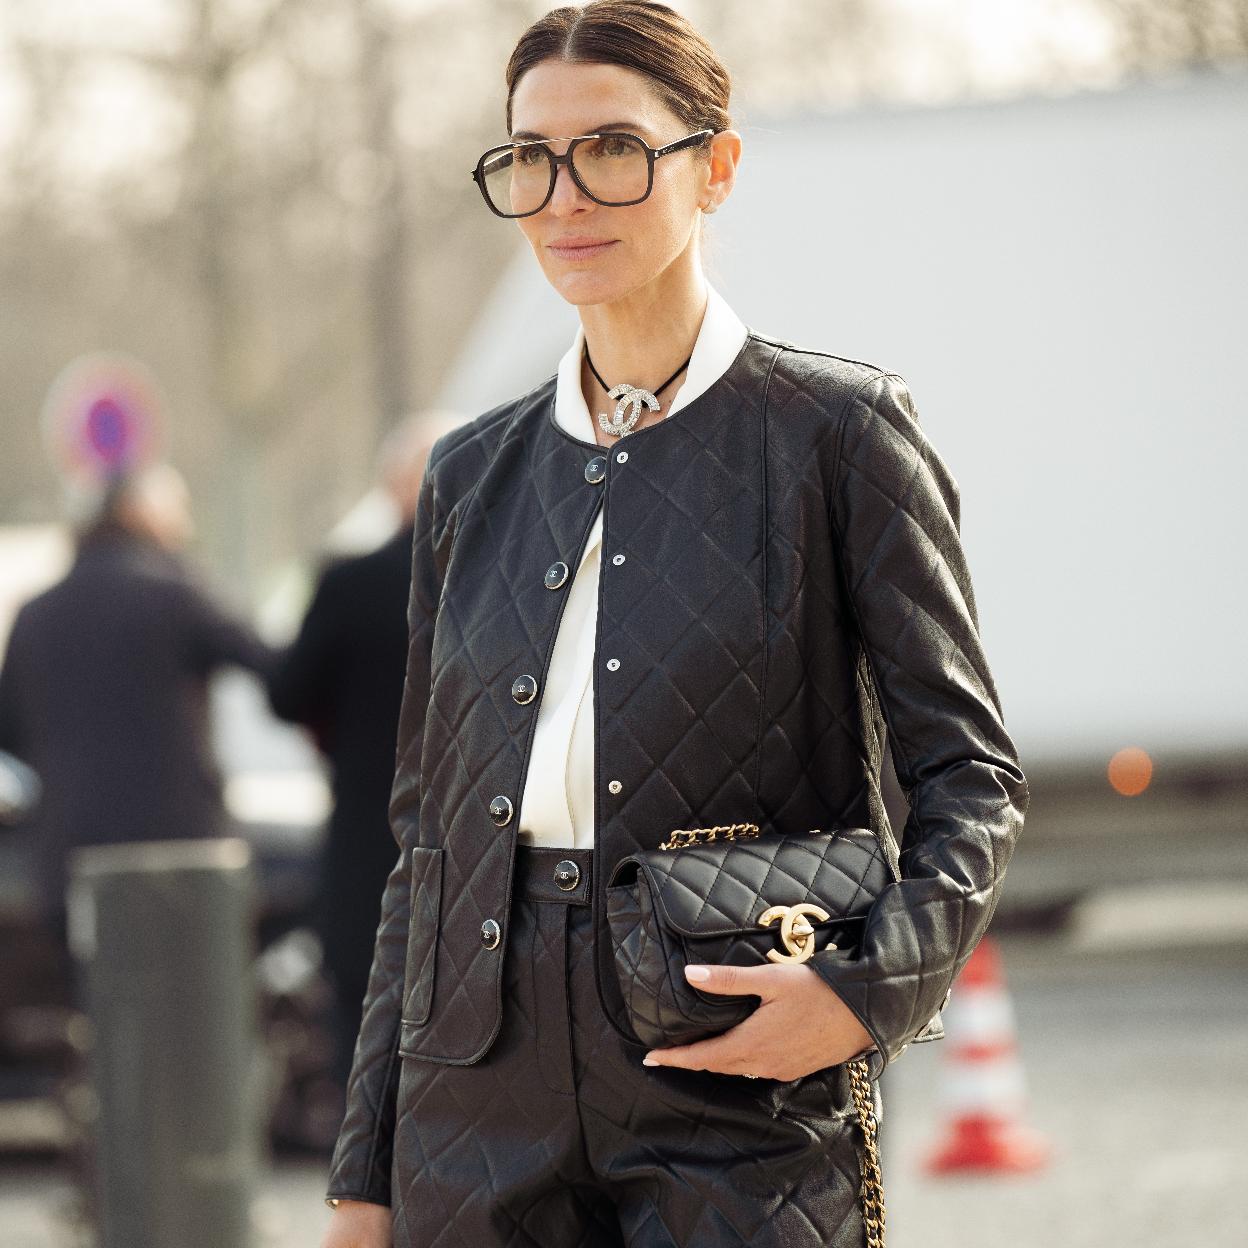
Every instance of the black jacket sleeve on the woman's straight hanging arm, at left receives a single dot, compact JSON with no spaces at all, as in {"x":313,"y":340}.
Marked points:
{"x":360,"y":1169}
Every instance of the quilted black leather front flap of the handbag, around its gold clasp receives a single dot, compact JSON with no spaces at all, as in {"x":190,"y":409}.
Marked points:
{"x":723,"y":888}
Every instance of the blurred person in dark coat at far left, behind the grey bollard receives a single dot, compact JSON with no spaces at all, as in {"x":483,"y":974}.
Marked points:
{"x":104,"y":690}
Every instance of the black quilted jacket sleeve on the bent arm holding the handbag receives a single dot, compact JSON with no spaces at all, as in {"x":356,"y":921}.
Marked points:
{"x":895,"y":517}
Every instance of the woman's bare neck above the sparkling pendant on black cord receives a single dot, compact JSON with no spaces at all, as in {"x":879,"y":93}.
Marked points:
{"x":643,"y":339}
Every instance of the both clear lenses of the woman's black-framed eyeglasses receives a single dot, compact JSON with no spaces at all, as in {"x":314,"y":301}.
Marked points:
{"x":613,"y":169}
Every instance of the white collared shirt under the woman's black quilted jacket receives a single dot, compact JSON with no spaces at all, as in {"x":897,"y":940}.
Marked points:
{"x":557,"y":806}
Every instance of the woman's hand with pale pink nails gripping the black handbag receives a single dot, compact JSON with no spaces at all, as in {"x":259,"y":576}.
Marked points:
{"x":801,"y":1026}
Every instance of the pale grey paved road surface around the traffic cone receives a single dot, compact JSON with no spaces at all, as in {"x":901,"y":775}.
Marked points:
{"x":1135,"y":1061}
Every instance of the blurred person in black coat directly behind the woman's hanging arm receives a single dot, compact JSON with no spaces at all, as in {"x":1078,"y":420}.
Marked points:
{"x":343,"y":678}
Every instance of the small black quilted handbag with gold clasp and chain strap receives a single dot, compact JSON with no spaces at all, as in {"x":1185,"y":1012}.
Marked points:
{"x":729,"y":895}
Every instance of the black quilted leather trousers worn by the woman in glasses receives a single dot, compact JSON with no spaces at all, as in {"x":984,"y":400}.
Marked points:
{"x":560,"y":1138}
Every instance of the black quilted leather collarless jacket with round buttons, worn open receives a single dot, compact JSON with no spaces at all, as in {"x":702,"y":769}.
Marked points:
{"x":792,"y":582}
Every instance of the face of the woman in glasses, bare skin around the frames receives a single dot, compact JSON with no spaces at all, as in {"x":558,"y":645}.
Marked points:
{"x":637,"y":244}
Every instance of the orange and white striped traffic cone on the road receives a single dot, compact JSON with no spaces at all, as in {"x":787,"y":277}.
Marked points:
{"x":985,"y":1091}
